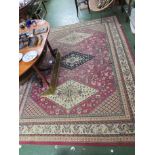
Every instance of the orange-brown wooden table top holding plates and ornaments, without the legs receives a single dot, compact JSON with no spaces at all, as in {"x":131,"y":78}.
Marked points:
{"x":24,"y":66}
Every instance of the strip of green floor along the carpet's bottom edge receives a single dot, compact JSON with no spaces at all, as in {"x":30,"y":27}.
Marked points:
{"x":76,"y":150}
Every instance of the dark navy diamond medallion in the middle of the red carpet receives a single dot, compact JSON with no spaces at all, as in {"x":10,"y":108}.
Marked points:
{"x":75,"y":59}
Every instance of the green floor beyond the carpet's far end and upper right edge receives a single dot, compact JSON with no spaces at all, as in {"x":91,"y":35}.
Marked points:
{"x":65,"y":14}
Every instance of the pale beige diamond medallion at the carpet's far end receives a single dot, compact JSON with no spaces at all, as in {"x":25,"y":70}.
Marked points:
{"x":74,"y":38}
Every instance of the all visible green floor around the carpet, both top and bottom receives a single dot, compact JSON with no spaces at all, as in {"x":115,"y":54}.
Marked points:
{"x":63,"y":12}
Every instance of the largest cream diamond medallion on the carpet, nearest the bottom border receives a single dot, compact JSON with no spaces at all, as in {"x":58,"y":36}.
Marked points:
{"x":71,"y":93}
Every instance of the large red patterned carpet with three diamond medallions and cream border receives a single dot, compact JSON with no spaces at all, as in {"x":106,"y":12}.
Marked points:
{"x":94,"y":100}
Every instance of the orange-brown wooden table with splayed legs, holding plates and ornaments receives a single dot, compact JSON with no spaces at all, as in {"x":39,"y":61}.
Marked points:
{"x":25,"y":66}
